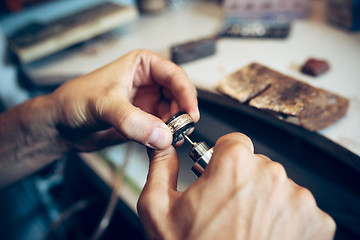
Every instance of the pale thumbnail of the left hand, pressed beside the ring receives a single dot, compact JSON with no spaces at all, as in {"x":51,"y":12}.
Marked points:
{"x":160,"y":138}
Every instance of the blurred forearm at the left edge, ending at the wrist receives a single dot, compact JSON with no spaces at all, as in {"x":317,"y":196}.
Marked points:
{"x":28,"y":139}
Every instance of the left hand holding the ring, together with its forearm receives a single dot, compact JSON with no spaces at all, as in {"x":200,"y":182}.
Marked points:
{"x":128,"y":99}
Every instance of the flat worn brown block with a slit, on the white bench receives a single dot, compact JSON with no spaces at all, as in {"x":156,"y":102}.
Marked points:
{"x":283,"y":96}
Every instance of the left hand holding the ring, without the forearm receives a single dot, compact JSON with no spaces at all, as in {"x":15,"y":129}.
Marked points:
{"x":127,"y":99}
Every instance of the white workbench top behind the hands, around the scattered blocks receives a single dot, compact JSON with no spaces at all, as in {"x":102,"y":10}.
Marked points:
{"x":311,"y":37}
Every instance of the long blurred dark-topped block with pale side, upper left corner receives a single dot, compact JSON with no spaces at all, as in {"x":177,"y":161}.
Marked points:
{"x":38,"y":40}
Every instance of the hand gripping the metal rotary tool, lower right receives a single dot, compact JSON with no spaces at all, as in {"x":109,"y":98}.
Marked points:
{"x":241,"y":195}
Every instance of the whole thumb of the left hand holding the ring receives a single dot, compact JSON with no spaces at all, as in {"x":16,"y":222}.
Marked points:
{"x":138,"y":125}
